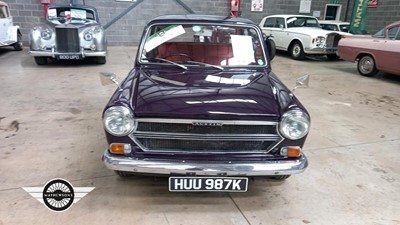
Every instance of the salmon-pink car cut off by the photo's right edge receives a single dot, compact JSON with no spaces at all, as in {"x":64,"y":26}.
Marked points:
{"x":381,"y":52}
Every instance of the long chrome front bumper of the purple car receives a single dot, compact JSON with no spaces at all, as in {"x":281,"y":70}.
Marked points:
{"x":192,"y":168}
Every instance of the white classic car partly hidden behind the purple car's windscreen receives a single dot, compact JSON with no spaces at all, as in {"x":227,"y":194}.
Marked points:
{"x":300,"y":35}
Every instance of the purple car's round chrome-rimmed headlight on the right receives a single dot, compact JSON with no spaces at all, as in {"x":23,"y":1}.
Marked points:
{"x":295,"y":124}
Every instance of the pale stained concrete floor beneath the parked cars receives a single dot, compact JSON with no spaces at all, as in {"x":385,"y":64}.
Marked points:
{"x":51,"y":128}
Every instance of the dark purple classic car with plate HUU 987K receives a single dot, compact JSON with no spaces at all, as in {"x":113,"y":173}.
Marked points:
{"x":202,"y":106}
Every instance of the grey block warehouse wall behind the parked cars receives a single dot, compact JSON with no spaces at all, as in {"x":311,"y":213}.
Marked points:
{"x":128,"y":29}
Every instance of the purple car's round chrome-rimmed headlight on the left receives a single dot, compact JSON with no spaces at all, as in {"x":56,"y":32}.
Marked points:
{"x":118,"y":121}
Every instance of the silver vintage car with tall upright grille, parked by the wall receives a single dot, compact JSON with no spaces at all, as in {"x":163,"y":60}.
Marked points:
{"x":71,"y":32}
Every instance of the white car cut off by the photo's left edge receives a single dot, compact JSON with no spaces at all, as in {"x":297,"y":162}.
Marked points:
{"x":10,"y":34}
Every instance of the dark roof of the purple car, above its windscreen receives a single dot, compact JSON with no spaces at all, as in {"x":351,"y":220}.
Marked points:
{"x":201,"y":18}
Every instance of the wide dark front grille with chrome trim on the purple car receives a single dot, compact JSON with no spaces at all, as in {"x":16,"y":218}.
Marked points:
{"x":193,"y":136}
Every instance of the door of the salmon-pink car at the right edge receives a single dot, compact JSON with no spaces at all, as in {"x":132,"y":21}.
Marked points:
{"x":389,"y":60}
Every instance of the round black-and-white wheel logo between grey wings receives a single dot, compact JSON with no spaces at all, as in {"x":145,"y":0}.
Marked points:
{"x":58,"y":195}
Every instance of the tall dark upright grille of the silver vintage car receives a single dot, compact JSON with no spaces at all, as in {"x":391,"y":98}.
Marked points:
{"x":67,"y":40}
